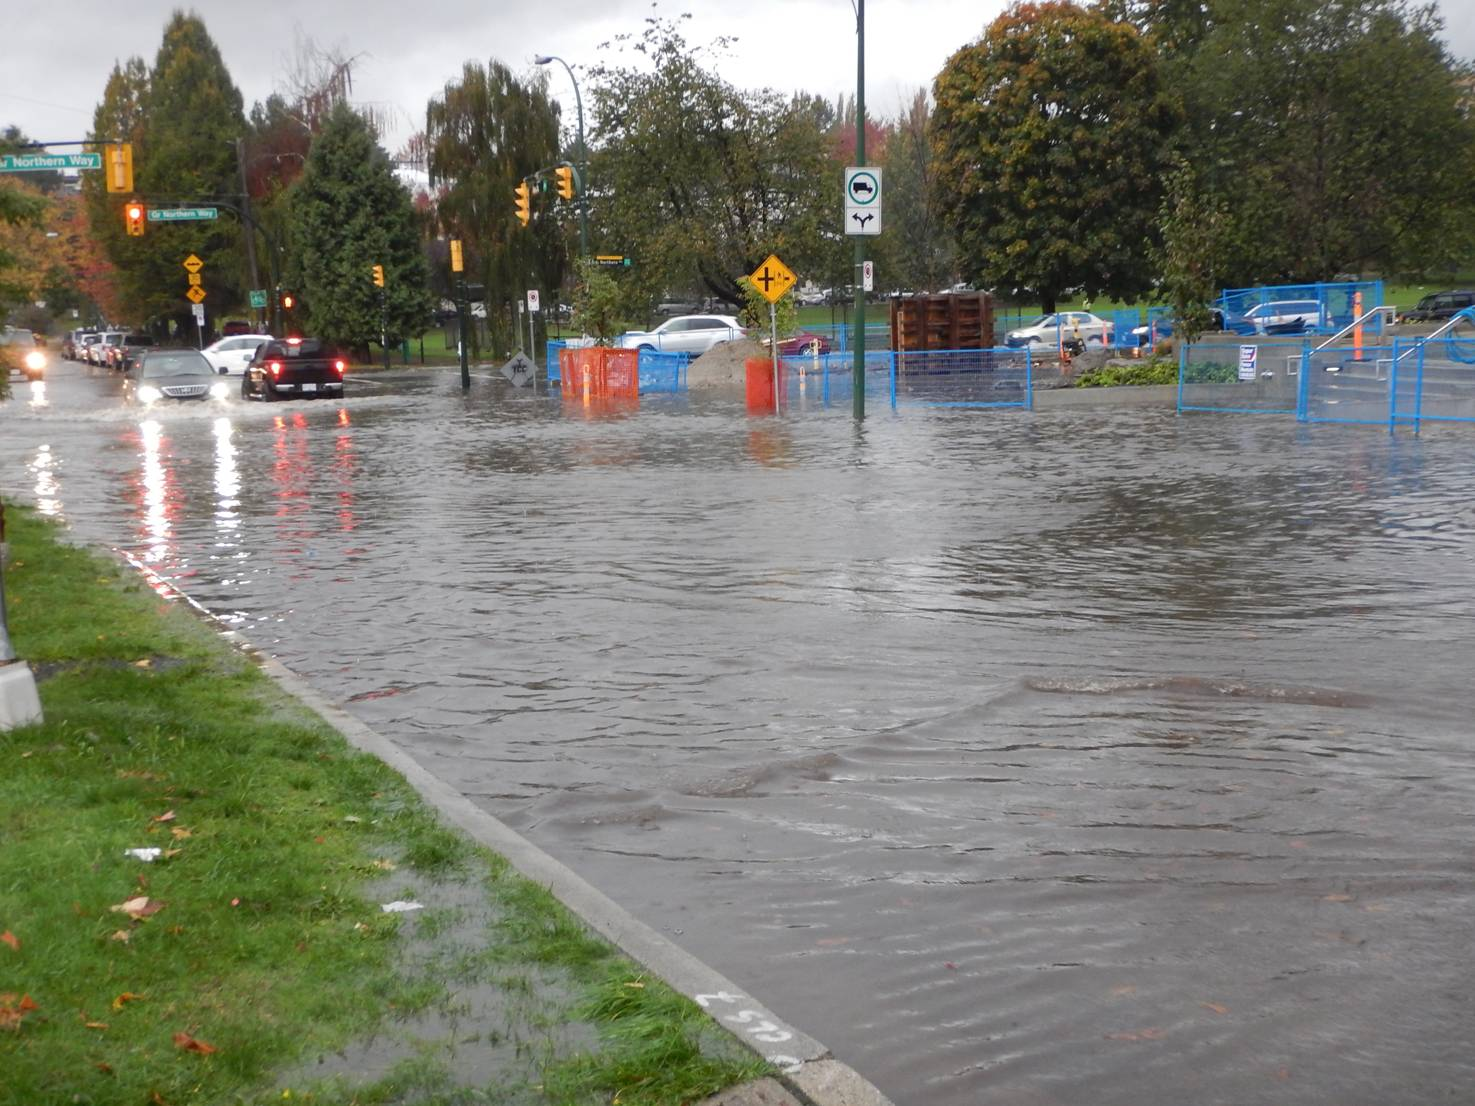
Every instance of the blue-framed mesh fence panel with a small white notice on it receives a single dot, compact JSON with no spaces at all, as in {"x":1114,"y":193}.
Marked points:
{"x":1260,"y":378}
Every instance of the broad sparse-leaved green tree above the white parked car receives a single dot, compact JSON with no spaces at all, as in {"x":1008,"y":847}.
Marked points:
{"x":700,"y":181}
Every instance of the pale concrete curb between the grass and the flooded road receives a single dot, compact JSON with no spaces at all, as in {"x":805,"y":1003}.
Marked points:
{"x":809,"y":1070}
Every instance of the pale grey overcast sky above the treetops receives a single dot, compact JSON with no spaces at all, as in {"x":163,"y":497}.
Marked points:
{"x":57,"y":61}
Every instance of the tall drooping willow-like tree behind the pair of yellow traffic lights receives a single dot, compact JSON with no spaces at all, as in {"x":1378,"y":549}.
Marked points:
{"x":485,"y":135}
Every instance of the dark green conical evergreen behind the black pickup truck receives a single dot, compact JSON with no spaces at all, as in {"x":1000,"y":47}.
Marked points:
{"x":350,"y":215}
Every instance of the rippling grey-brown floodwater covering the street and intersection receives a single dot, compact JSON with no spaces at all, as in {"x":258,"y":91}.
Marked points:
{"x":1073,"y":757}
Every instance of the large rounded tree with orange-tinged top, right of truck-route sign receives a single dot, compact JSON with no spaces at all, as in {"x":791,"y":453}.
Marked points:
{"x":1051,"y":138}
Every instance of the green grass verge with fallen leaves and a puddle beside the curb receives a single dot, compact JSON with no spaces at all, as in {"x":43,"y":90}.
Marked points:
{"x":256,"y":943}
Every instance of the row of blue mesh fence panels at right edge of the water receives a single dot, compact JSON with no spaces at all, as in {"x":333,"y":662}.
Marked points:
{"x":1405,"y":383}
